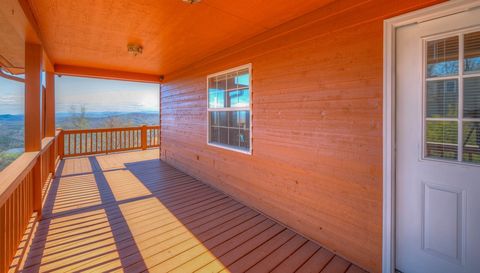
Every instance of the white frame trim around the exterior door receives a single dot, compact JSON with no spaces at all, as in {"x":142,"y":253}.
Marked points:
{"x":389,"y":30}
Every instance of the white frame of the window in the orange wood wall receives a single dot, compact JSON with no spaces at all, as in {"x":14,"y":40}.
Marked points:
{"x":249,"y":108}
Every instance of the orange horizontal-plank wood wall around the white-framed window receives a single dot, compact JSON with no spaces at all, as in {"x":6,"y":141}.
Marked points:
{"x":317,"y":125}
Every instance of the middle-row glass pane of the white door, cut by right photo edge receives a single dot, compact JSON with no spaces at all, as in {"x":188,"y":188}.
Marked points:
{"x":471,"y":97}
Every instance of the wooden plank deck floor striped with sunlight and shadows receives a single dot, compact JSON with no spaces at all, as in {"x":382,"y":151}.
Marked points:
{"x":131,"y":212}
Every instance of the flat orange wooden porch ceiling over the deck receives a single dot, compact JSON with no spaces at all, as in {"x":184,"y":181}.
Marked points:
{"x":95,"y":34}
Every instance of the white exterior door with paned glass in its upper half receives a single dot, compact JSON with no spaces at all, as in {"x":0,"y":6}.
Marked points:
{"x":438,"y":145}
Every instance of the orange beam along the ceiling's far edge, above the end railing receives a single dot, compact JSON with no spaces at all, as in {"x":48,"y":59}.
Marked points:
{"x":89,"y":72}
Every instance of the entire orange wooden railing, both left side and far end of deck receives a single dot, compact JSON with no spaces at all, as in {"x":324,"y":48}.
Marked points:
{"x":22,"y":183}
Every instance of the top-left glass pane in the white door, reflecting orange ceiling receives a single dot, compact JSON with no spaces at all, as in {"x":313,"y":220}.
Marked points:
{"x":442,"y":57}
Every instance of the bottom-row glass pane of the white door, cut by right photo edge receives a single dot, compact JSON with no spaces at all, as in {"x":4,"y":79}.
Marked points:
{"x":471,"y":141}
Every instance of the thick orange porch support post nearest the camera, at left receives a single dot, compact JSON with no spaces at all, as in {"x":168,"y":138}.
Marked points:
{"x":33,"y":116}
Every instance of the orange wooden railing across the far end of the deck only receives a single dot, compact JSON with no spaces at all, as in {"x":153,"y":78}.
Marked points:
{"x":107,"y":140}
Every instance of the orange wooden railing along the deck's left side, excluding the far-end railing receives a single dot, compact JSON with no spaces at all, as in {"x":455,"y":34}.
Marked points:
{"x":21,"y":186}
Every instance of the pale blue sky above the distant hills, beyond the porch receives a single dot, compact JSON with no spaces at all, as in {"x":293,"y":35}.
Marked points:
{"x":96,"y":95}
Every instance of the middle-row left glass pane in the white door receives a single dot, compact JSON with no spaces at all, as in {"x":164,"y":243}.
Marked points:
{"x":442,"y":99}
